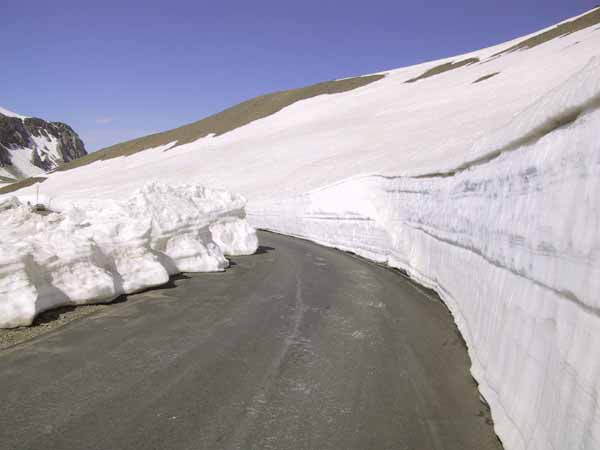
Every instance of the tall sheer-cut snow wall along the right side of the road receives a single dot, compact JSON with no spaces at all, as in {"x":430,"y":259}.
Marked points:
{"x":511,"y":242}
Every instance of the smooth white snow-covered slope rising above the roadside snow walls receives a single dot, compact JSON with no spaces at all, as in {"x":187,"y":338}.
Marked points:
{"x":386,"y":127}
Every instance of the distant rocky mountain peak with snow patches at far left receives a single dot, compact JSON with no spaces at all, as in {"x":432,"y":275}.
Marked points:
{"x":31,"y":146}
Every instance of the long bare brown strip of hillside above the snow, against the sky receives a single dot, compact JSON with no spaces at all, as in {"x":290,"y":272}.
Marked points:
{"x":227,"y":120}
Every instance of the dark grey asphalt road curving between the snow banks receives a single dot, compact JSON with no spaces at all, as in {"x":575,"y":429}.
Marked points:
{"x":298,"y":347}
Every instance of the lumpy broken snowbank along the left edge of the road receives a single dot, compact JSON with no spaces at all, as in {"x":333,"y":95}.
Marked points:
{"x":92,"y":252}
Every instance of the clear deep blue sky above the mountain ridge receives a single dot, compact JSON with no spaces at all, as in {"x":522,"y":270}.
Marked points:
{"x":116,"y":70}
